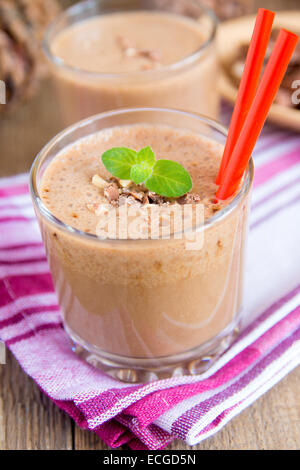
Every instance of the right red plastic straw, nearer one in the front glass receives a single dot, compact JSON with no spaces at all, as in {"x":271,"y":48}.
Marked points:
{"x":268,"y":87}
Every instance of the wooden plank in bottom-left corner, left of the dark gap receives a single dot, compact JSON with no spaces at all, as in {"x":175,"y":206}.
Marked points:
{"x":29,"y":419}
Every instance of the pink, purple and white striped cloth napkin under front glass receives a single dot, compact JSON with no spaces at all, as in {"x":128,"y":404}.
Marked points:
{"x":189,"y":408}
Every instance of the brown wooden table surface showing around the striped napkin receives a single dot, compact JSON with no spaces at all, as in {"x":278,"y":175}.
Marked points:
{"x":29,"y":420}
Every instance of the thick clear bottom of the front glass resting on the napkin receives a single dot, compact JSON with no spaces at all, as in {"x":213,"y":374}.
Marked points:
{"x":137,"y":370}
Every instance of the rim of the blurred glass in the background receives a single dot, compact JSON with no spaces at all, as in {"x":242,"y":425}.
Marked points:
{"x":80,"y":7}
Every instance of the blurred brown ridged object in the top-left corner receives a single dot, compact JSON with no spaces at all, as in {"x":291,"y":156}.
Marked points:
{"x":22,"y":64}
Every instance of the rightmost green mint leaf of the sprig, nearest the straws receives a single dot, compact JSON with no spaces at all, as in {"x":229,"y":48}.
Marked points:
{"x":169,"y":179}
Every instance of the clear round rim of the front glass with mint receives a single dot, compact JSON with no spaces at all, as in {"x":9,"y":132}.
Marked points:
{"x":45,"y":212}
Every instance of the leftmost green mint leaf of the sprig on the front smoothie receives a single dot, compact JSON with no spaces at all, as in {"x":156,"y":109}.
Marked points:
{"x":119,"y":160}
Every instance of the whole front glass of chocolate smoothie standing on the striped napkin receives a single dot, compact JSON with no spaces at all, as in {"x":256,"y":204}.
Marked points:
{"x":140,"y":306}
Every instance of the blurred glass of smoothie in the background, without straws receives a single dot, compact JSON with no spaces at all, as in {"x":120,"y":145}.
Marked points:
{"x":110,"y":54}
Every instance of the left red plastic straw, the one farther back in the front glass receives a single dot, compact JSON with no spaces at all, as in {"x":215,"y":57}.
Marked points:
{"x":248,"y":85}
